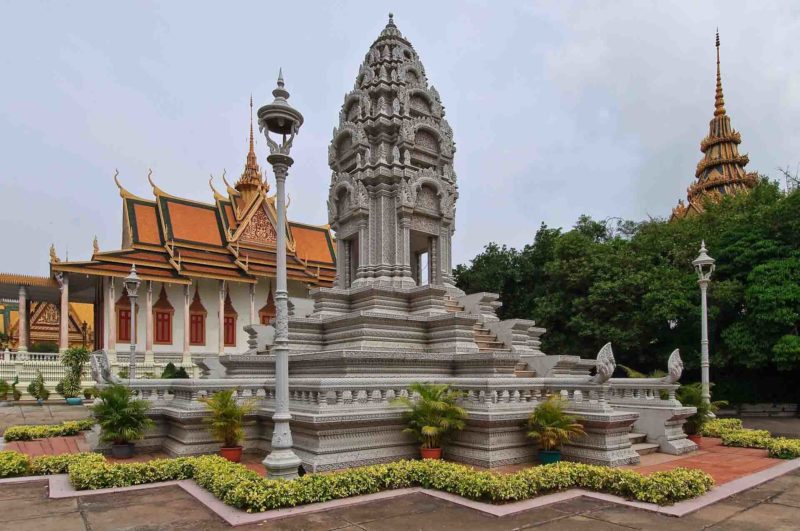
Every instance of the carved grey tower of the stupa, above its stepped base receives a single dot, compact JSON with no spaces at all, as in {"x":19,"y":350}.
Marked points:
{"x":393,"y":190}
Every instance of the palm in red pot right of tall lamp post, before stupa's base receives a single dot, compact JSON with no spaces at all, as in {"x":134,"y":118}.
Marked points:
{"x":432,"y":416}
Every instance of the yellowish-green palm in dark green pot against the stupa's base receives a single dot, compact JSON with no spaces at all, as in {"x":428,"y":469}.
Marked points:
{"x":552,"y":427}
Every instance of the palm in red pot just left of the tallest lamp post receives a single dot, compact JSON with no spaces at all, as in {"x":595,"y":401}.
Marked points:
{"x":225,"y":422}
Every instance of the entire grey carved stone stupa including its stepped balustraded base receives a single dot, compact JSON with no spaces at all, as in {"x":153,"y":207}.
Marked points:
{"x":385,"y":325}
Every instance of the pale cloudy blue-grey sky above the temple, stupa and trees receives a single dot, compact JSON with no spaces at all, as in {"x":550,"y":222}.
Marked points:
{"x":558,"y":108}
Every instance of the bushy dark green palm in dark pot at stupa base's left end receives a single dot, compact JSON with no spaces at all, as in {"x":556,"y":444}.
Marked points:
{"x":122,"y":419}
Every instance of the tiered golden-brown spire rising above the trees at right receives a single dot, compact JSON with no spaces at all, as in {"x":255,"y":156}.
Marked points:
{"x":721,"y":172}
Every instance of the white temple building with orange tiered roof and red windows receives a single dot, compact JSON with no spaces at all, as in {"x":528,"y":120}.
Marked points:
{"x":207,"y":270}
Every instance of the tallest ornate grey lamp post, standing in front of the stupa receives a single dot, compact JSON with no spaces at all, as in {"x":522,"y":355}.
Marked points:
{"x":280,"y":118}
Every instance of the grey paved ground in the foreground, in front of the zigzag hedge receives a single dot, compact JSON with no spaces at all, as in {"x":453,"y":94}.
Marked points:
{"x":774,"y":505}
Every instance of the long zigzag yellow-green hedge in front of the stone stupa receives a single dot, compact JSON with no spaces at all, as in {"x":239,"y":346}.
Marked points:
{"x":241,"y":487}
